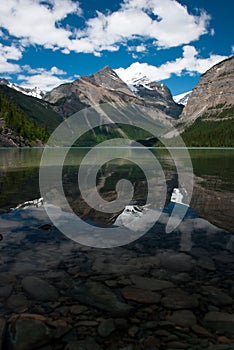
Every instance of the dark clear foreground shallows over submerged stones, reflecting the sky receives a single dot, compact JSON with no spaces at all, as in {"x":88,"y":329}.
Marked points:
{"x":163,"y":291}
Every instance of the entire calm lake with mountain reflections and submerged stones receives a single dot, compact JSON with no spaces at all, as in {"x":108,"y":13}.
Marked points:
{"x":61,"y":288}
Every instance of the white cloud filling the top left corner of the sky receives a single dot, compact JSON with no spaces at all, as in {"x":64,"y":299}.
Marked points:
{"x":37,"y":22}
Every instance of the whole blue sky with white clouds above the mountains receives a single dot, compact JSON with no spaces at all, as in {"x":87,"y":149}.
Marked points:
{"x":46,"y":43}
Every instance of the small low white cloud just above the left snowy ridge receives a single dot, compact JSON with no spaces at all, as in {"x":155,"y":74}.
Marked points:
{"x":42,"y":78}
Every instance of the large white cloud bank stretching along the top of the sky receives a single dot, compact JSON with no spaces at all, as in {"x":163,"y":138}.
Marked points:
{"x":166,"y":22}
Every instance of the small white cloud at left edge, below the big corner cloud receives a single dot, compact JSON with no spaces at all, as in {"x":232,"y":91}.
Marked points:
{"x":9,"y":53}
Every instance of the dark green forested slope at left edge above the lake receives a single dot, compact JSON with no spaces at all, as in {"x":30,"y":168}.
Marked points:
{"x":24,"y":120}
